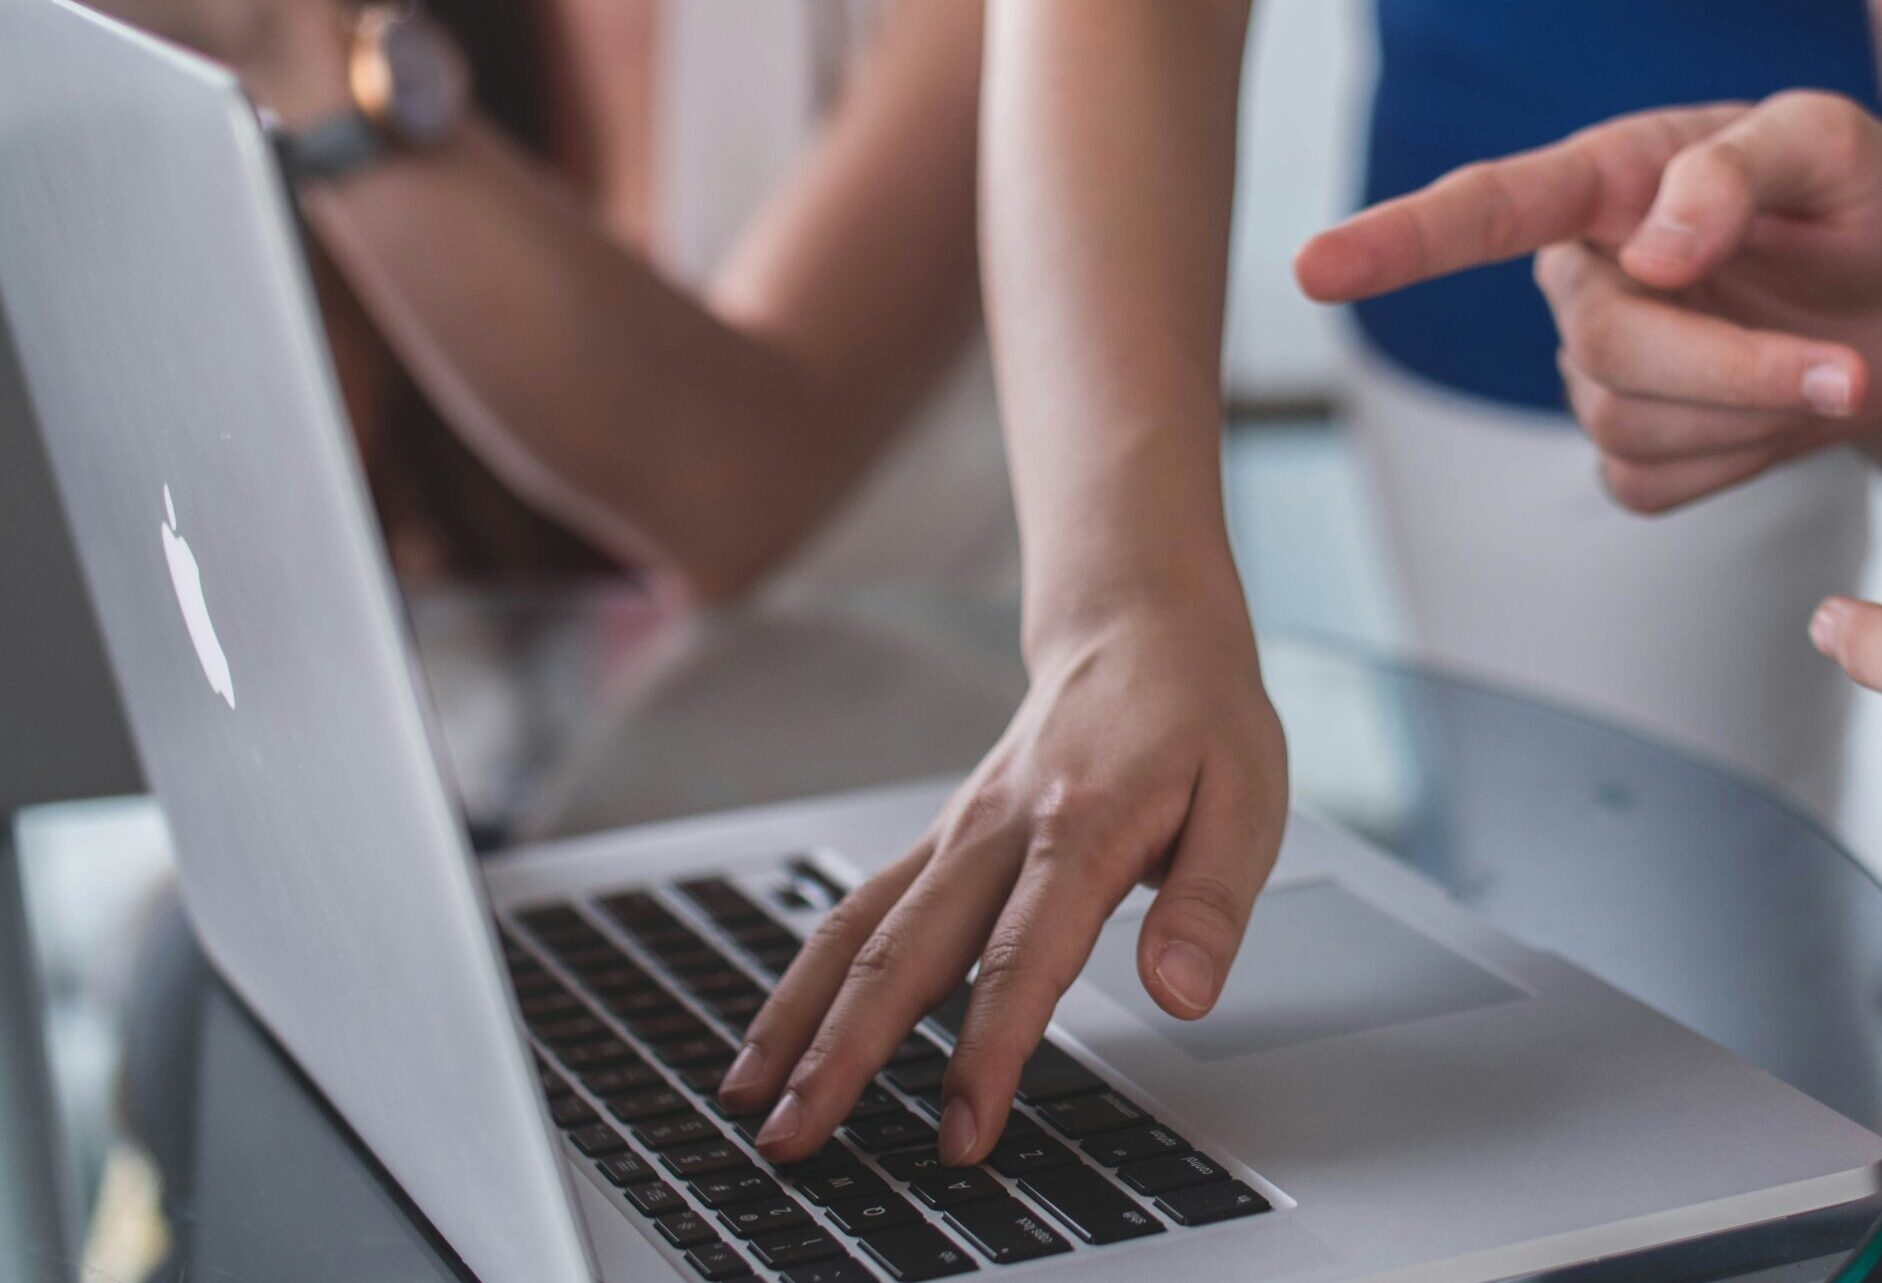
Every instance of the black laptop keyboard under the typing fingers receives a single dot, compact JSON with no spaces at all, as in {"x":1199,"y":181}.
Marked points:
{"x":637,"y":1004}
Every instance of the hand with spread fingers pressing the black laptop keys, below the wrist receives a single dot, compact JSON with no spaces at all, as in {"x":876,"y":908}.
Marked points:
{"x":1147,"y":753}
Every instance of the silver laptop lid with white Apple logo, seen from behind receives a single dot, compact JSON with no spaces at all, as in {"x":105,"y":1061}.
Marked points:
{"x":176,"y":366}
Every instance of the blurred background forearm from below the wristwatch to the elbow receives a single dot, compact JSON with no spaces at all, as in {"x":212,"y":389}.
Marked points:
{"x":596,"y":388}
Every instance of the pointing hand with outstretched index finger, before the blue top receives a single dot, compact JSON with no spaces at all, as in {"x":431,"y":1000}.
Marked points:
{"x":1715,"y":276}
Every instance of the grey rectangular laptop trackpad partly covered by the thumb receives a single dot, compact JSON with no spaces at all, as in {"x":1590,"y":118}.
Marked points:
{"x":1318,"y":964}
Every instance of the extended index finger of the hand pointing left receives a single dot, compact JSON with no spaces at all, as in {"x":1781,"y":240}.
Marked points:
{"x":1491,"y":212}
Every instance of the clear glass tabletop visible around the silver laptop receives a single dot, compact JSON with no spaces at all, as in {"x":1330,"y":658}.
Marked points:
{"x":1682,"y":885}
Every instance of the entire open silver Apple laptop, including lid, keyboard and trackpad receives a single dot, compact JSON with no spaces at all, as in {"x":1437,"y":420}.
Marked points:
{"x":1390,"y":1090}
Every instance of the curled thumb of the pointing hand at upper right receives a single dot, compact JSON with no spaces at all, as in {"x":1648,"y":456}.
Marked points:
{"x":1794,"y":153}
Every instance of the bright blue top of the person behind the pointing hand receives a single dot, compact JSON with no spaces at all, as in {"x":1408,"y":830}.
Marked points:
{"x":1471,"y":80}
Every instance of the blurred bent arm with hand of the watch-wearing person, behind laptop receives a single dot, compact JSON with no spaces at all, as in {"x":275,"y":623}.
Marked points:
{"x":697,"y":439}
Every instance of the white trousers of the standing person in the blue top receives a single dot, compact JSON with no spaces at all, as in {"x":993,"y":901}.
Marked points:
{"x":1518,"y":567}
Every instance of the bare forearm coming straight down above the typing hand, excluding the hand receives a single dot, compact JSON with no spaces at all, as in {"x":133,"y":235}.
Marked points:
{"x":1109,"y":150}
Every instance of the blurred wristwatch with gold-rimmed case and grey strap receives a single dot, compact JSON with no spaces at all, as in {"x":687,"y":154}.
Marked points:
{"x":409,"y":87}
